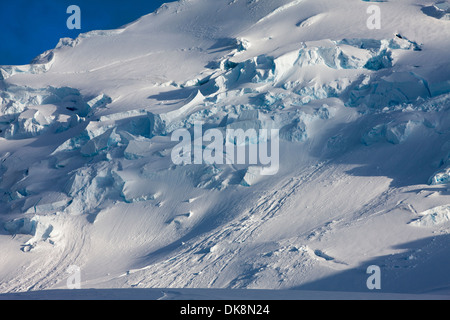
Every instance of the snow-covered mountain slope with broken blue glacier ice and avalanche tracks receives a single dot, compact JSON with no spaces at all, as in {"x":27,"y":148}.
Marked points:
{"x":87,"y":176}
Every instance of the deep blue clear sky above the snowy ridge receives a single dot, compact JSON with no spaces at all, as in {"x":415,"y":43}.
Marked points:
{"x":30,"y":27}
